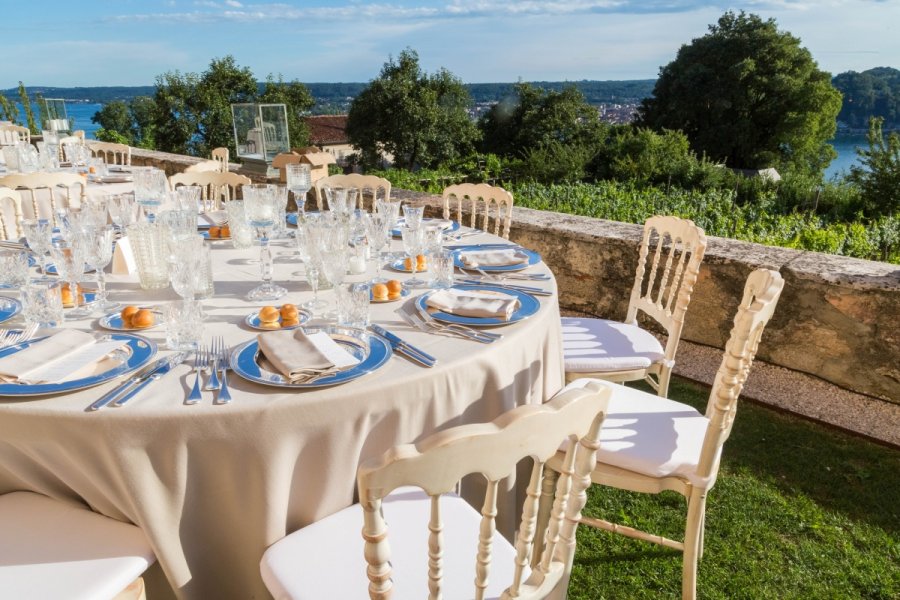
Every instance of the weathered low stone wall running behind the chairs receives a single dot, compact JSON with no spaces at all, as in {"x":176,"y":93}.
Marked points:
{"x":838,"y":318}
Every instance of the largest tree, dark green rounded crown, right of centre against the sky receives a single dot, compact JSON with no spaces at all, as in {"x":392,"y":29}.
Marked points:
{"x":749,"y":95}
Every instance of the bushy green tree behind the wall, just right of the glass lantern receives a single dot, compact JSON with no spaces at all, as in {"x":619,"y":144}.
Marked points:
{"x":419,"y":119}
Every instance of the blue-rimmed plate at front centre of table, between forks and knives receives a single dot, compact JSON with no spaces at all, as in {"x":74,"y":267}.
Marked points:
{"x":371,"y":351}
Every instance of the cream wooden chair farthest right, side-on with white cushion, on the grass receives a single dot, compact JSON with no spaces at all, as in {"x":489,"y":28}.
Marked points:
{"x":650,"y":444}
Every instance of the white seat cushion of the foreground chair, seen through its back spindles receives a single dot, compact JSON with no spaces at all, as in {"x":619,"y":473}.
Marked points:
{"x":325,"y":559}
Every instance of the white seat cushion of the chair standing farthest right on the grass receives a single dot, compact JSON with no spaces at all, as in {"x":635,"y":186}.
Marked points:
{"x":650,"y":435}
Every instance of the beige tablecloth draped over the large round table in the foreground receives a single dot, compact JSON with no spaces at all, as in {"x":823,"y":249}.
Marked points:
{"x":213,"y":485}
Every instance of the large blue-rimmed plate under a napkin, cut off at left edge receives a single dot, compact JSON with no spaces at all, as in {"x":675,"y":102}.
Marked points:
{"x":135,"y":354}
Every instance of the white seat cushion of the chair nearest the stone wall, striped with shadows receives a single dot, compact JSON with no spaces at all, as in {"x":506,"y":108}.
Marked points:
{"x":598,"y":345}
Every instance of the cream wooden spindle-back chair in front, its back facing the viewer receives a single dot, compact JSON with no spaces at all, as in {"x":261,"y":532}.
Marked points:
{"x":428,"y":525}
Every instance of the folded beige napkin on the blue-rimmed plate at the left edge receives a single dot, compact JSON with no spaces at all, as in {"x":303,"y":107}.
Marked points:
{"x":56,"y":358}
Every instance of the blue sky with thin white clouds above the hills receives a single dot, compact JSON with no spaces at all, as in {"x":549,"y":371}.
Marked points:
{"x":129,"y":42}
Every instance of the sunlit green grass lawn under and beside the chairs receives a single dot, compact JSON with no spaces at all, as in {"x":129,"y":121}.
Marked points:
{"x":799,"y":511}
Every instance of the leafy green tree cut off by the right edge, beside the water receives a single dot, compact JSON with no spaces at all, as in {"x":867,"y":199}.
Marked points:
{"x":878,"y":176}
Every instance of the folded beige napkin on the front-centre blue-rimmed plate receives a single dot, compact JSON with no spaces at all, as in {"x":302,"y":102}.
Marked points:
{"x":302,"y":358}
